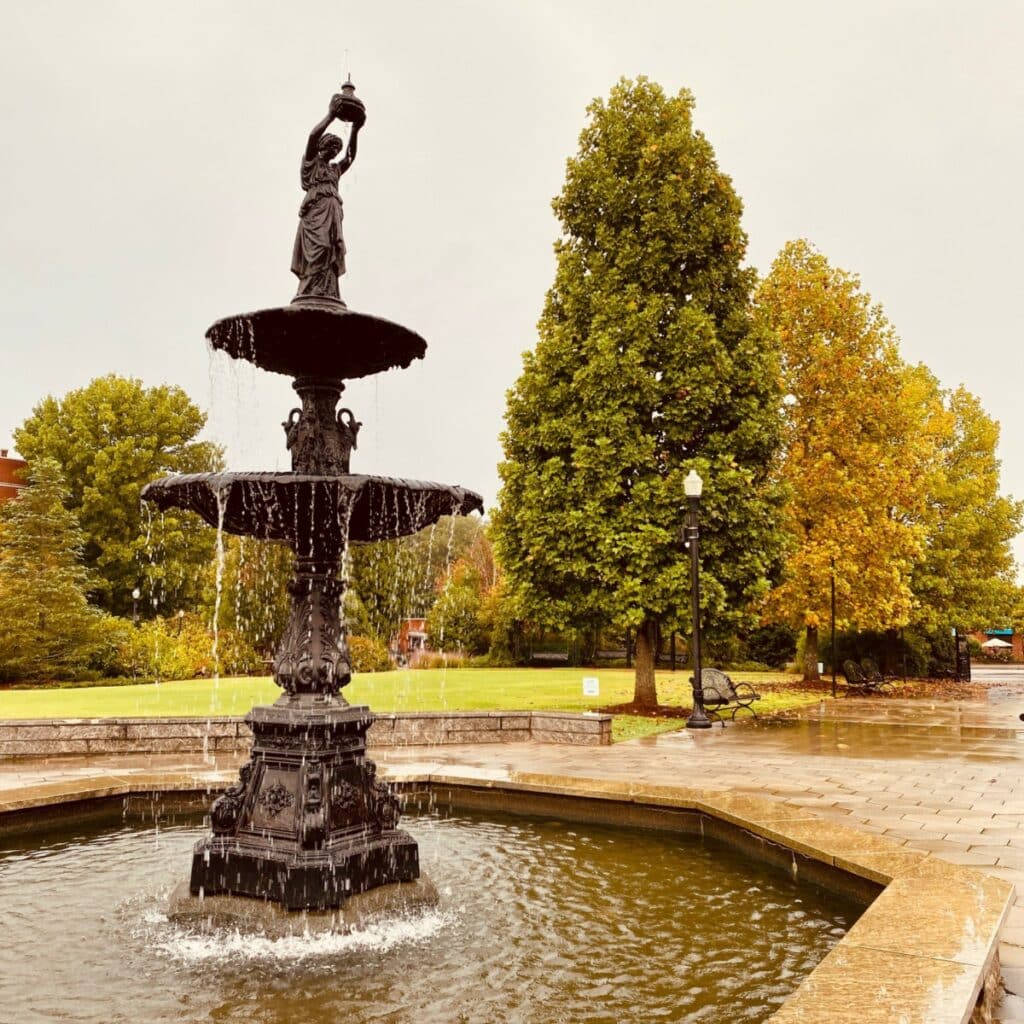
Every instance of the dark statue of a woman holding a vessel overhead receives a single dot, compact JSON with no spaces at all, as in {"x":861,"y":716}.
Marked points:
{"x":319,"y":257}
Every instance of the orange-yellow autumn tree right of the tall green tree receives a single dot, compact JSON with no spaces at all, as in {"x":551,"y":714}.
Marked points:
{"x":860,"y":442}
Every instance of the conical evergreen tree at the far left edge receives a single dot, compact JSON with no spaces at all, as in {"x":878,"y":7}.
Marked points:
{"x":48,"y":627}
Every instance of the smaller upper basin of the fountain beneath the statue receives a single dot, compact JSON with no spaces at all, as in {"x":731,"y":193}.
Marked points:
{"x":317,"y":337}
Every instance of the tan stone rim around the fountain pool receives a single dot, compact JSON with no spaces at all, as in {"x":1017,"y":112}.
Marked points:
{"x":925,"y":952}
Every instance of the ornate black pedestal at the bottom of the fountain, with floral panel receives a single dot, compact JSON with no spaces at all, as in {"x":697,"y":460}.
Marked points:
{"x":309,"y":824}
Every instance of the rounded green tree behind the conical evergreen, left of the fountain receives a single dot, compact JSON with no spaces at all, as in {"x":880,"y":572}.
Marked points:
{"x":111,"y":439}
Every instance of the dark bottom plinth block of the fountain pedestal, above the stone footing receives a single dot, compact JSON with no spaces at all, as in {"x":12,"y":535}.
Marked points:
{"x":308,"y":880}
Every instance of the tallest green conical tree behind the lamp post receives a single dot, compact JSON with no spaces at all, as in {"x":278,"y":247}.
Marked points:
{"x":648,"y":366}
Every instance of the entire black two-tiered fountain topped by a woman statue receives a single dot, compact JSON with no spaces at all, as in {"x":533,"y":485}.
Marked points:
{"x":309,"y":825}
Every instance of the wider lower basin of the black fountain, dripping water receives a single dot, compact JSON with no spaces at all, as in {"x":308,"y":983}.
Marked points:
{"x":297,"y":507}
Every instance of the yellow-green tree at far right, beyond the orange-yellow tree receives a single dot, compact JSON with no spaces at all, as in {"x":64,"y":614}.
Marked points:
{"x":967,"y":575}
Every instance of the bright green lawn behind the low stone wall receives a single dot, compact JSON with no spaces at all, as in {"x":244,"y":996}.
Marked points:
{"x":431,"y":690}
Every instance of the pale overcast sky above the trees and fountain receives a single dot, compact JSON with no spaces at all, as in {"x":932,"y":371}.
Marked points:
{"x":151,"y":157}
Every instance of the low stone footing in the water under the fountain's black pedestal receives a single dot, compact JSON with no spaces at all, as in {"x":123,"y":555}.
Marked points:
{"x":258,"y":917}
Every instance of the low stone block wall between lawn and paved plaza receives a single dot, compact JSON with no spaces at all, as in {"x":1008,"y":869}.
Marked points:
{"x":51,"y":738}
